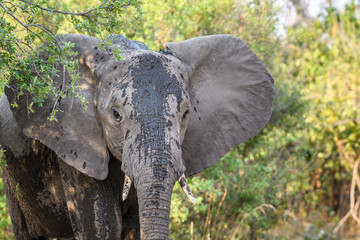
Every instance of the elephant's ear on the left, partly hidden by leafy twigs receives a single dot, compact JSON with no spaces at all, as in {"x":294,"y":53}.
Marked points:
{"x":76,"y":137}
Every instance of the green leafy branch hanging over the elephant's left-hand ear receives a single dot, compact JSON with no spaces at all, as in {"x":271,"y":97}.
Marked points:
{"x":25,"y":25}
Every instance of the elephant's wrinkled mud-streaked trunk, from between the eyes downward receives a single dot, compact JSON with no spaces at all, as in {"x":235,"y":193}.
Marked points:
{"x":153,"y":161}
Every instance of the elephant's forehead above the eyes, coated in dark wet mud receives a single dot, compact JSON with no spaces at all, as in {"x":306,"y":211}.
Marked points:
{"x":152,"y":78}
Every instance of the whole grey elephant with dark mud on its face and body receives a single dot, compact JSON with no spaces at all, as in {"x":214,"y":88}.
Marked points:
{"x":153,"y":118}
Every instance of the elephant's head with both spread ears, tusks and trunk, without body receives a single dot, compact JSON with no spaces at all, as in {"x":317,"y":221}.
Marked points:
{"x":163,"y":114}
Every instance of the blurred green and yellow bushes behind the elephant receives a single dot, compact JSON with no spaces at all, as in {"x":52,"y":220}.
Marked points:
{"x":299,"y":177}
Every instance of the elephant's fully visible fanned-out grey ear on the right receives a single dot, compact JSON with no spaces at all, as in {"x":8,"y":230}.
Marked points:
{"x":231,"y":96}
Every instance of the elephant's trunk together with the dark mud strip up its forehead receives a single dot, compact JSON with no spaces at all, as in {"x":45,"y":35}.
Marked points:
{"x":151,"y":153}
